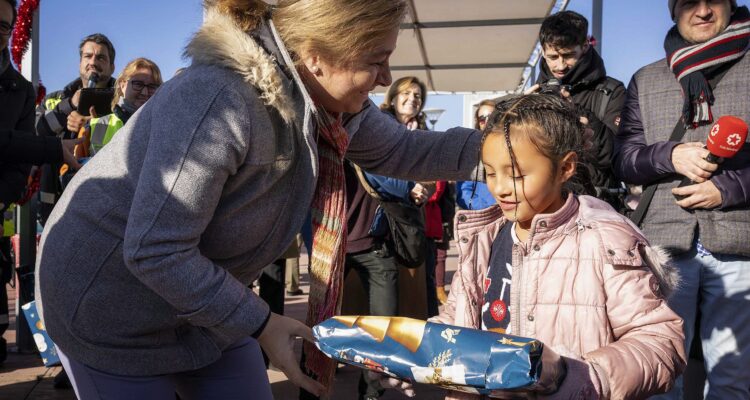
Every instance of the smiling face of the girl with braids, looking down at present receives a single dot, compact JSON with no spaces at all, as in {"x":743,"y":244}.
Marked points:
{"x":538,"y":186}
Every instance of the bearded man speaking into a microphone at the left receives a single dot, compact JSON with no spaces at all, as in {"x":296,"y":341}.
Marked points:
{"x":58,"y":115}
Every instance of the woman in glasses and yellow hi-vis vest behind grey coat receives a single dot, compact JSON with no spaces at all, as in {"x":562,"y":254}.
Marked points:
{"x":136,"y":84}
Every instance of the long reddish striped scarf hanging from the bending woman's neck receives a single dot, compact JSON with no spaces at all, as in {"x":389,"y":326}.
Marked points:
{"x":329,"y":238}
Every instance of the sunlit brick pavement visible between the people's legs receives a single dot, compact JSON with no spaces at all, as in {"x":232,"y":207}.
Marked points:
{"x":23,"y":377}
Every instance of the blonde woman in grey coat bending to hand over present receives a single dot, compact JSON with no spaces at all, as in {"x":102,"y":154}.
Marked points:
{"x":145,"y":261}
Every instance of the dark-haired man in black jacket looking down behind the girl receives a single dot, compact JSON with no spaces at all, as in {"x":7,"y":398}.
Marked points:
{"x":573,"y":69}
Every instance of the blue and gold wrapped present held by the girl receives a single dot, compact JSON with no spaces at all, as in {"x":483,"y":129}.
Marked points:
{"x":454,"y":357}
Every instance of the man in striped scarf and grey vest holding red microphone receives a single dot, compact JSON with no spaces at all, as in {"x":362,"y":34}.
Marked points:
{"x":670,"y":108}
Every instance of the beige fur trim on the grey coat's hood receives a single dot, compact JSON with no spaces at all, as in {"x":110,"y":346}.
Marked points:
{"x":220,"y":42}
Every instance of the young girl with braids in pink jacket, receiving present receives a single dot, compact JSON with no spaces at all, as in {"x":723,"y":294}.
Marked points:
{"x":565,"y":269}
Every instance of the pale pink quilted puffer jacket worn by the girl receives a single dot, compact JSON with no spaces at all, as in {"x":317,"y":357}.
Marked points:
{"x":587,"y":284}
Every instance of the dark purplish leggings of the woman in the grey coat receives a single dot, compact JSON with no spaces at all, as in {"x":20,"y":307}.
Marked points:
{"x":238,"y":374}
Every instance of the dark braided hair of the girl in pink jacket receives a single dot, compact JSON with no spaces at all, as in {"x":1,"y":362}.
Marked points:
{"x":553,"y":125}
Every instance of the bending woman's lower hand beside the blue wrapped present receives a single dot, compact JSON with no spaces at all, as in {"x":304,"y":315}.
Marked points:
{"x":277,"y":339}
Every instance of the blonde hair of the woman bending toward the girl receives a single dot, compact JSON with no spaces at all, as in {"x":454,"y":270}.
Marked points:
{"x":337,"y":30}
